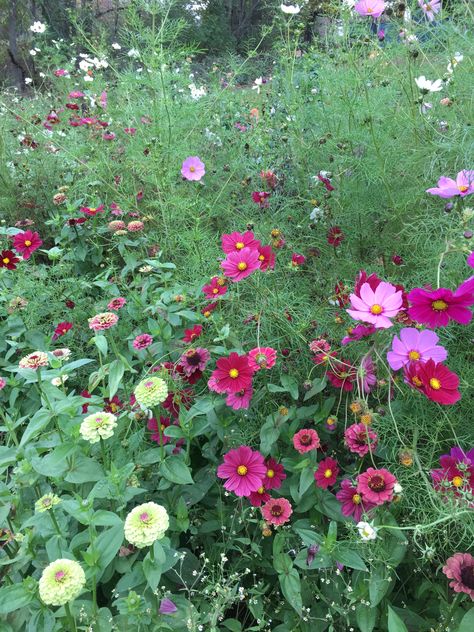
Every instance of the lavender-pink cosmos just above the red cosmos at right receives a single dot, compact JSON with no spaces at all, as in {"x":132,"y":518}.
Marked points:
{"x":413,"y":346}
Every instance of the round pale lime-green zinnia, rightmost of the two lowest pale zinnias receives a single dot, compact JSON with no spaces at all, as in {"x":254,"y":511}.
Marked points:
{"x":145,"y":524}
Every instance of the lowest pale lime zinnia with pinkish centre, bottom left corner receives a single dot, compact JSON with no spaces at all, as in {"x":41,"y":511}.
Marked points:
{"x":61,"y":582}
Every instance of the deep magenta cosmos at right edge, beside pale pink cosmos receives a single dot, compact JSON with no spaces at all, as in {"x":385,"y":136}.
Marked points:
{"x":436,"y":308}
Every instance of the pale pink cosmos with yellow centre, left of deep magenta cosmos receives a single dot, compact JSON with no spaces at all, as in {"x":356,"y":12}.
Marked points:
{"x":376,"y":307}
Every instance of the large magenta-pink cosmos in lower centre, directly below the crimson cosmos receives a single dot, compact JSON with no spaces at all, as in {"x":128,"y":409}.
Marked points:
{"x":244,"y":470}
